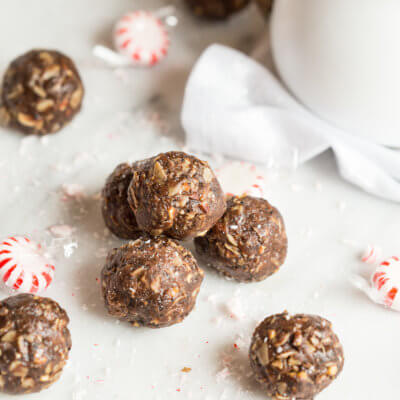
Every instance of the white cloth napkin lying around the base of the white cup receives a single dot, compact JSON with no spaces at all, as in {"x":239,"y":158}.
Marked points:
{"x":236,"y":107}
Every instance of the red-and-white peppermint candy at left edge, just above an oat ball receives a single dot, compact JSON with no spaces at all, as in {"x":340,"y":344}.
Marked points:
{"x":23,"y":267}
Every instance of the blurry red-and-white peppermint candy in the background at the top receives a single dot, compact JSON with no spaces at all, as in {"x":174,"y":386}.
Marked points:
{"x":142,"y":38}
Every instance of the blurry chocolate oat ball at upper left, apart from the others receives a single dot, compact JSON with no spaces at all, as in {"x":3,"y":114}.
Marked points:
{"x":42,"y":91}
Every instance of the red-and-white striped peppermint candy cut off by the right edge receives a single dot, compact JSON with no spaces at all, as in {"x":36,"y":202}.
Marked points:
{"x":386,"y":281}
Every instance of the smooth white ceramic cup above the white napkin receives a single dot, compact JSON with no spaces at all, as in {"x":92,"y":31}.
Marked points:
{"x":341,"y":58}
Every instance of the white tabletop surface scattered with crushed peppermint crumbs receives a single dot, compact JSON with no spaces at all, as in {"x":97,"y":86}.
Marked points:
{"x":135,"y":113}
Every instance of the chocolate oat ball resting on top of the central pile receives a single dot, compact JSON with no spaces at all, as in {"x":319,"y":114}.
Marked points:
{"x":177,"y":195}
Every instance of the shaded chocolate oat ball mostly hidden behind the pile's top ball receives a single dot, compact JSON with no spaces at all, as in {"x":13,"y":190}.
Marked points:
{"x":117,"y":214}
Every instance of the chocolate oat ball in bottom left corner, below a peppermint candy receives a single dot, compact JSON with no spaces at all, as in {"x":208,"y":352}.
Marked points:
{"x":34,"y":343}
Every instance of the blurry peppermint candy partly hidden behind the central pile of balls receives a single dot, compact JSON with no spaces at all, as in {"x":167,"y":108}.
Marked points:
{"x":241,"y":178}
